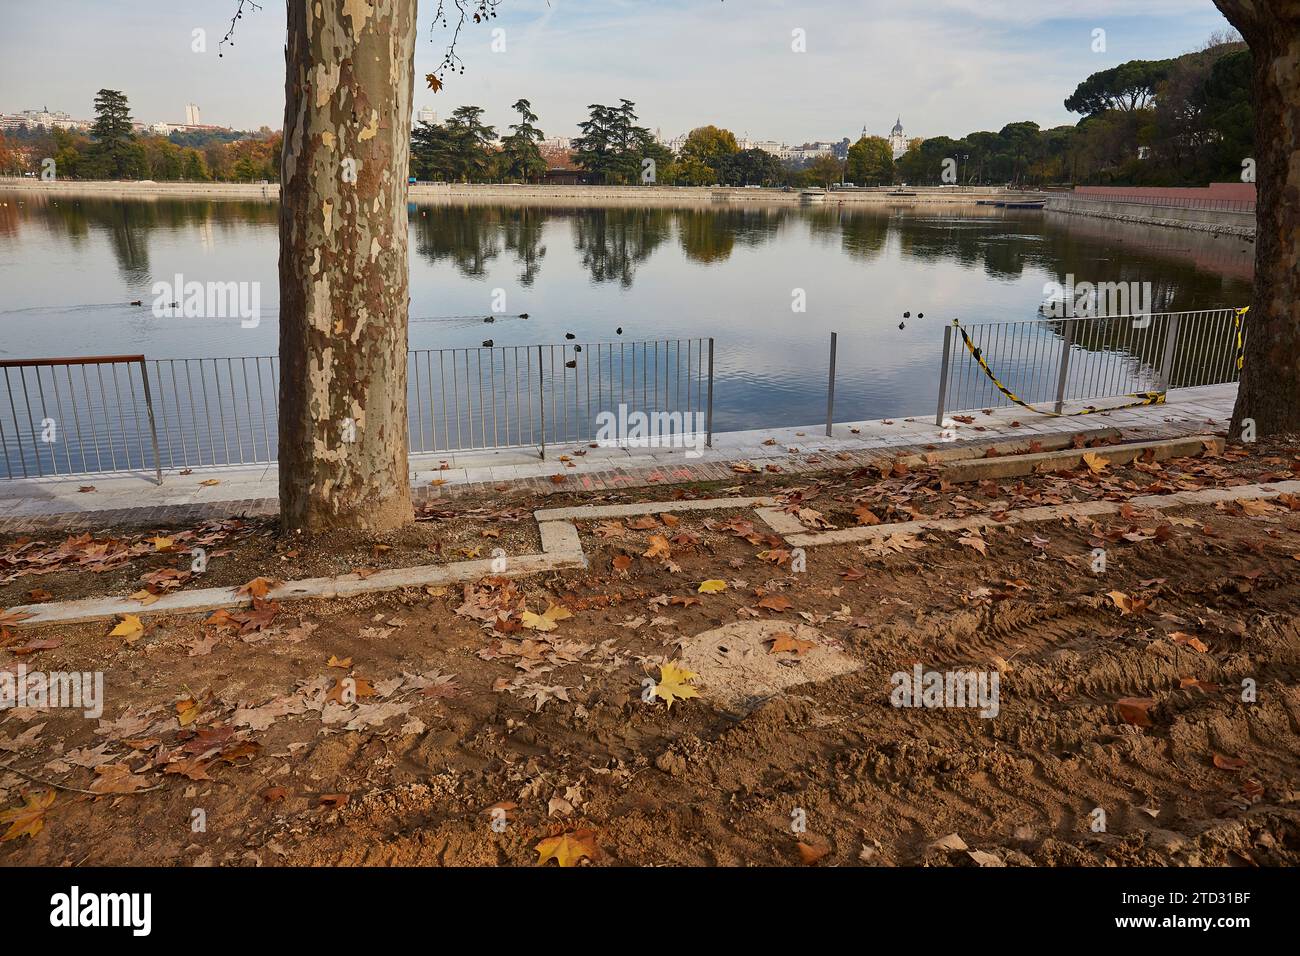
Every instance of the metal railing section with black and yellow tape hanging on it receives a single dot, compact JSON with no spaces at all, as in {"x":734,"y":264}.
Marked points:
{"x":1086,"y":360}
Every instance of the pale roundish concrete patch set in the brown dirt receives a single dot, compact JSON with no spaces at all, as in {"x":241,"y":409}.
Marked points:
{"x":739,"y":672}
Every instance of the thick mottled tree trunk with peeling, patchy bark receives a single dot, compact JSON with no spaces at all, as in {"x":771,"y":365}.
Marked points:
{"x":344,"y":292}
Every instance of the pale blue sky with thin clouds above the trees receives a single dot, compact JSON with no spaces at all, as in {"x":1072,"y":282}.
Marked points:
{"x":944,"y":67}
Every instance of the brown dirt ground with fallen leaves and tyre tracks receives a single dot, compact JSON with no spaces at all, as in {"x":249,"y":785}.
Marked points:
{"x":1149,"y":712}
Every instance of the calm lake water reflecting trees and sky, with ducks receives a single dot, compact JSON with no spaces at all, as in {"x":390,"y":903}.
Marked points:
{"x":71,"y":267}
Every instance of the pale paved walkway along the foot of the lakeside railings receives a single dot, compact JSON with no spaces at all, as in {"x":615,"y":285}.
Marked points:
{"x":136,"y":499}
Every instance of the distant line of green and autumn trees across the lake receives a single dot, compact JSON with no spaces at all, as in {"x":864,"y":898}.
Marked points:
{"x":1155,"y":123}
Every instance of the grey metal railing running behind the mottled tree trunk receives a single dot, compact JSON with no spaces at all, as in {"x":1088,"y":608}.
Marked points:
{"x":122,"y":413}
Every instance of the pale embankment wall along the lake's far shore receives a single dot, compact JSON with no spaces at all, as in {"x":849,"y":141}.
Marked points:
{"x":551,"y":196}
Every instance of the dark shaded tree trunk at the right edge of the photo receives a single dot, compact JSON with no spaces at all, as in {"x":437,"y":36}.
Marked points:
{"x":1271,"y":380}
